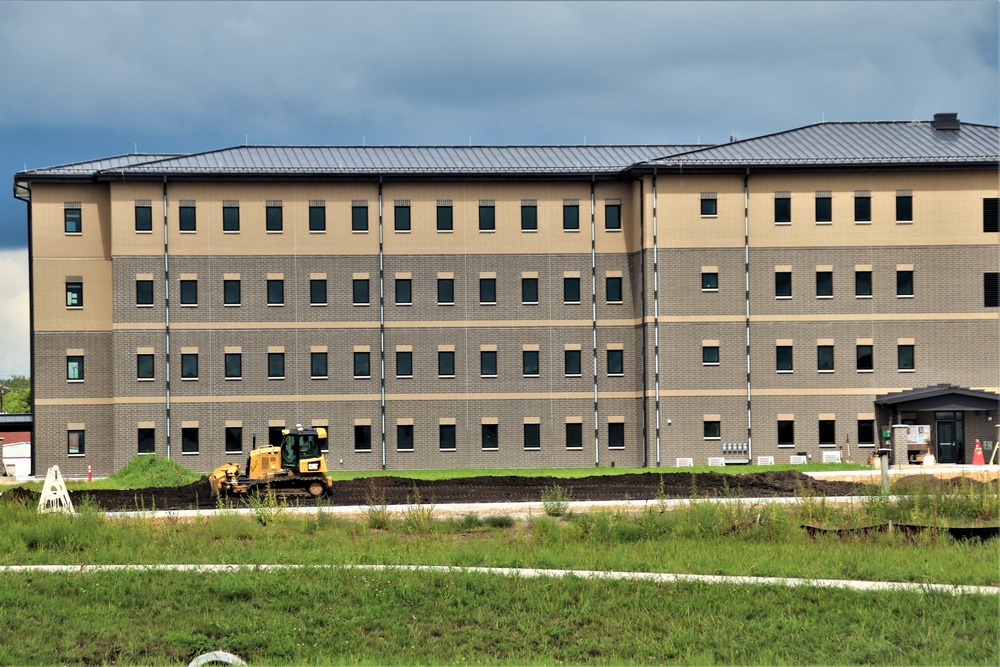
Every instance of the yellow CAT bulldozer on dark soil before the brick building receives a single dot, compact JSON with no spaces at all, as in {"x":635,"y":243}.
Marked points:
{"x":296,"y":467}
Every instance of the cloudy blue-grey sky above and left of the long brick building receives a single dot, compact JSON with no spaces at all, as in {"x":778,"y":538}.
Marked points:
{"x":83,"y":80}
